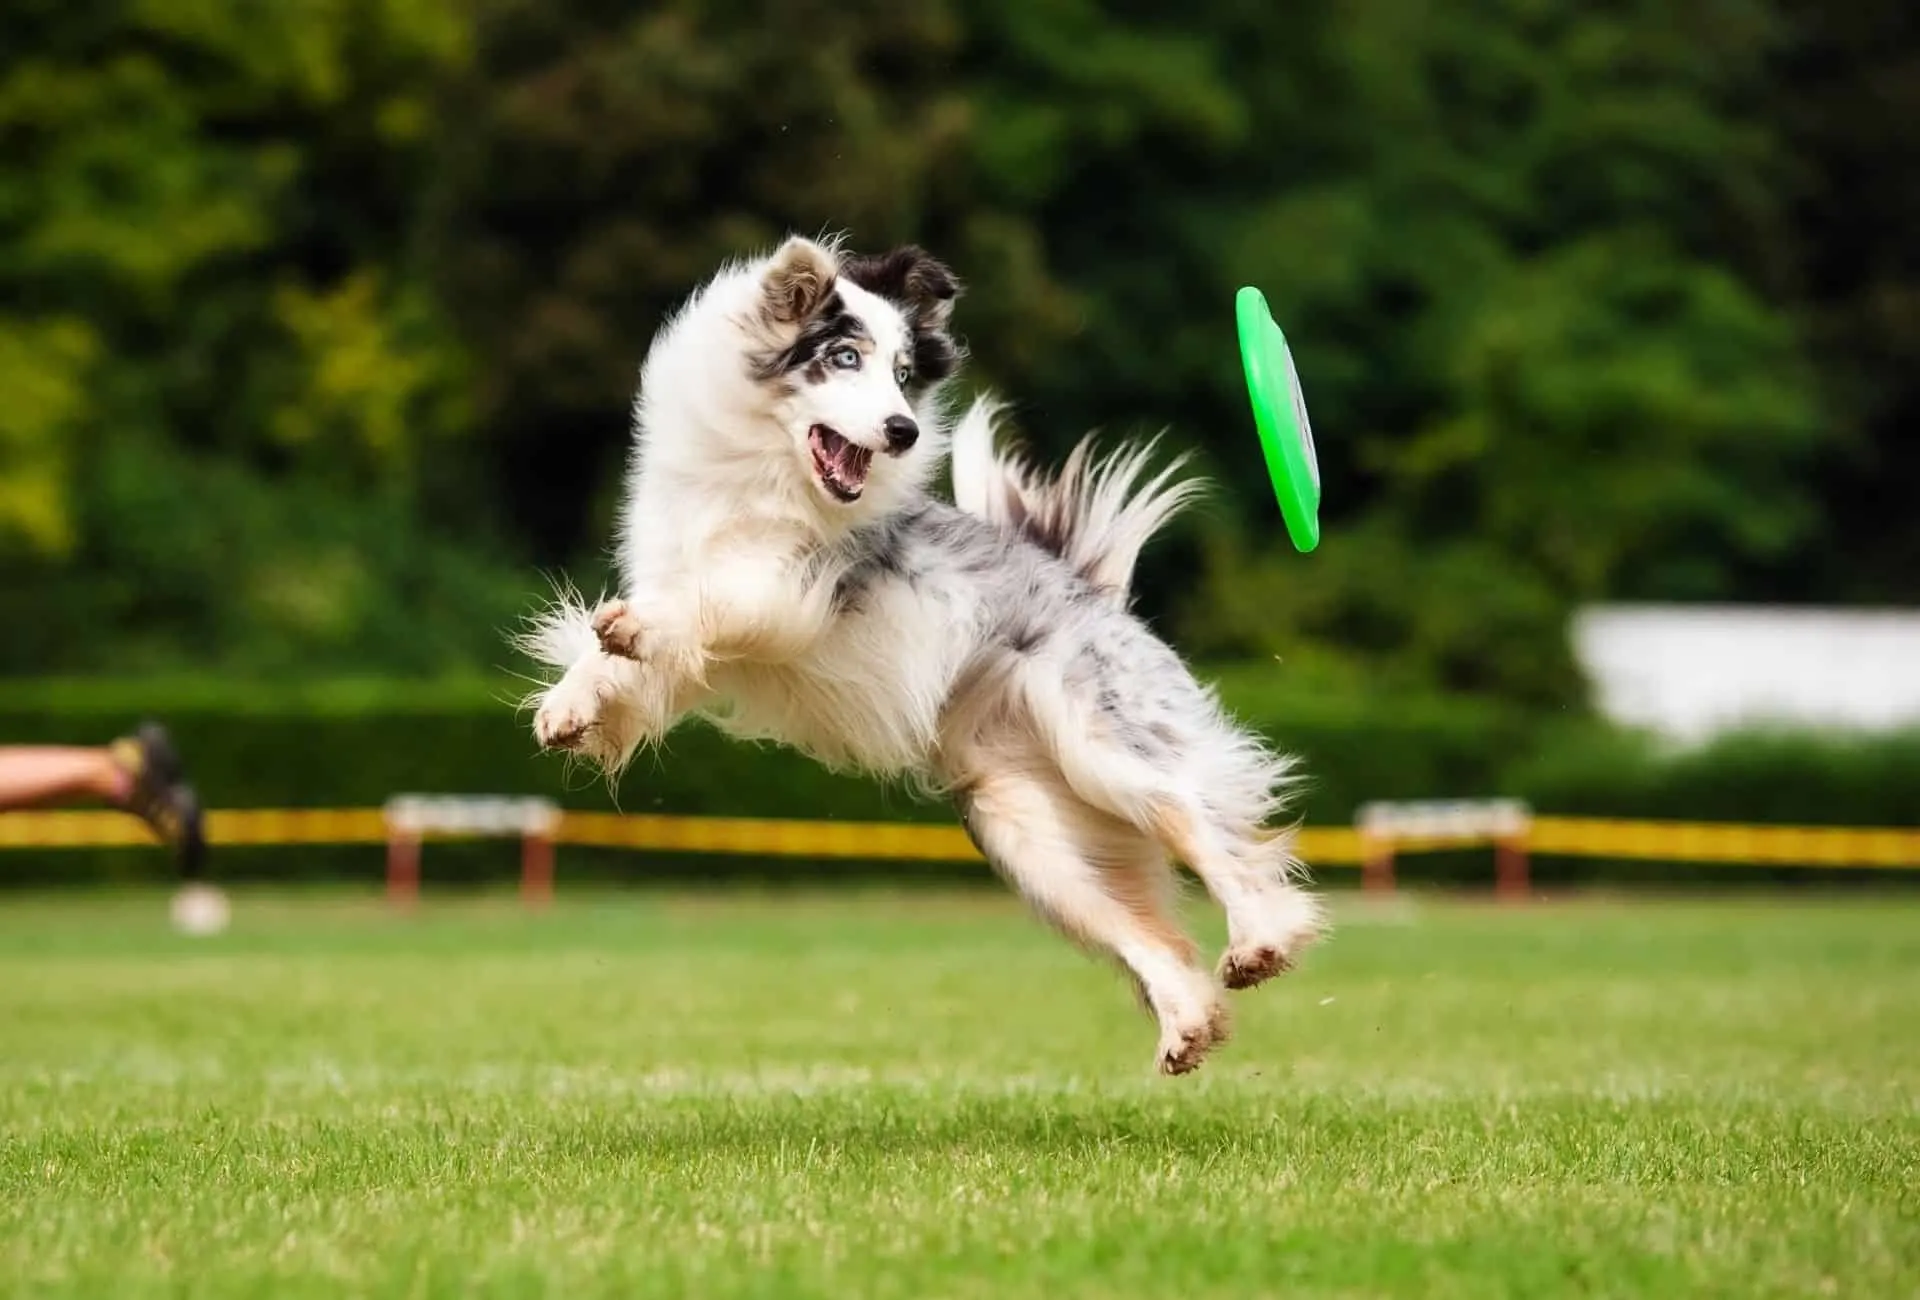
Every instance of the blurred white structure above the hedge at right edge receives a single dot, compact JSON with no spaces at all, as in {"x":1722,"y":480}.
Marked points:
{"x":1692,"y":671}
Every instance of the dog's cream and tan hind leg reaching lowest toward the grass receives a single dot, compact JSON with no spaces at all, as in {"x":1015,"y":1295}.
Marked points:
{"x":1109,"y":888}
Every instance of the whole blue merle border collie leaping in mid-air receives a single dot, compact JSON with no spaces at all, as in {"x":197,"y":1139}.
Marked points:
{"x":788,"y":575}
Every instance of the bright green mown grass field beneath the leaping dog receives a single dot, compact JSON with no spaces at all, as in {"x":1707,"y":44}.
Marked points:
{"x":932,"y":1097}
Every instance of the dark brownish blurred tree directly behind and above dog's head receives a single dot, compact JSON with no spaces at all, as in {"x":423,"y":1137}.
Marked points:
{"x":610,"y":158}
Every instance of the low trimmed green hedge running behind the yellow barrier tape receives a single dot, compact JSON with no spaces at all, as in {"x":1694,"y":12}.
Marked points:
{"x":352,"y":744}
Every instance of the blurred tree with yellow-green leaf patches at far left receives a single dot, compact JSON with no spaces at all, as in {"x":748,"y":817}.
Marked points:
{"x":224,"y":362}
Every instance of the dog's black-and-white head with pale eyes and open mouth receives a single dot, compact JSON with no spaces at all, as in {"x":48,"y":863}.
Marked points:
{"x":855,"y":349}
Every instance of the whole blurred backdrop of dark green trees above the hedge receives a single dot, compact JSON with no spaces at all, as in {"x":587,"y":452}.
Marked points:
{"x":318,"y":327}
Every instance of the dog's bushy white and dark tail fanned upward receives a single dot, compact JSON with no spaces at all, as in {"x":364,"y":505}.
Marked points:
{"x":1097,"y":514}
